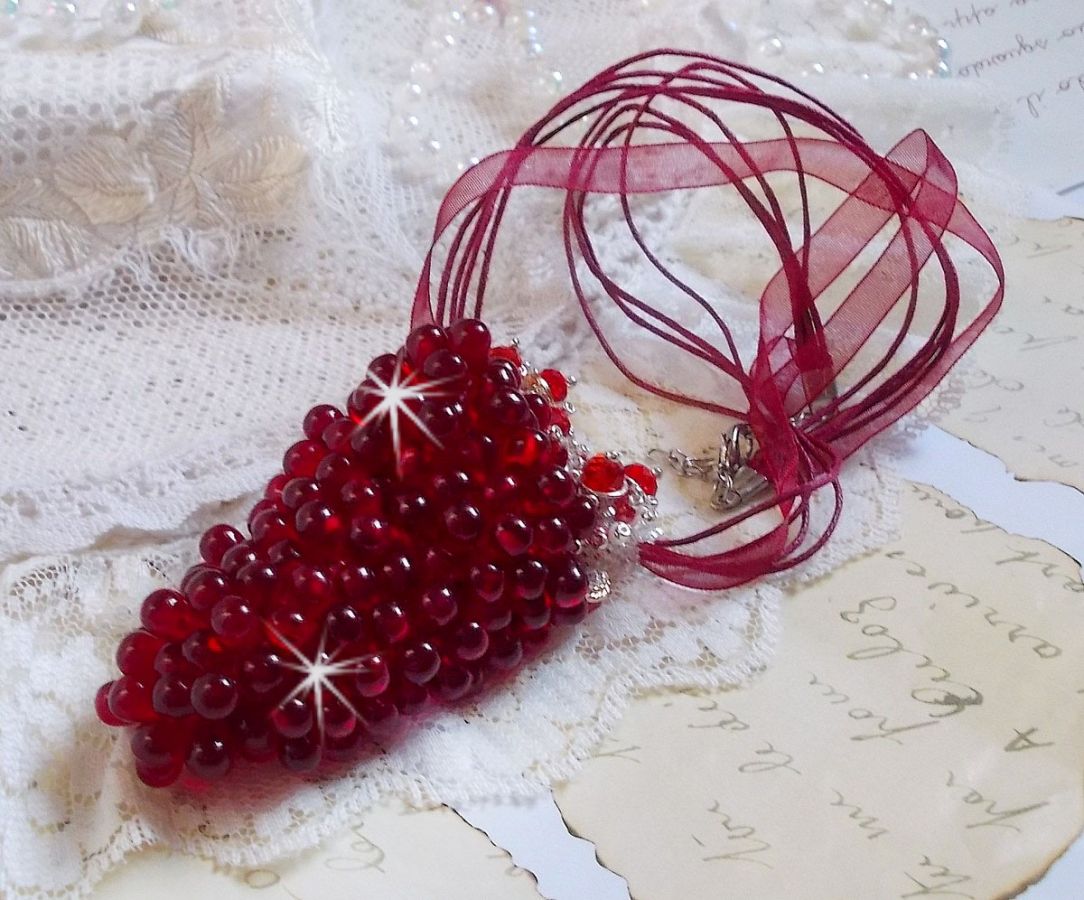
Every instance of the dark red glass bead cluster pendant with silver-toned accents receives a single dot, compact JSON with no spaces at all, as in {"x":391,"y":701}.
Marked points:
{"x":414,"y":548}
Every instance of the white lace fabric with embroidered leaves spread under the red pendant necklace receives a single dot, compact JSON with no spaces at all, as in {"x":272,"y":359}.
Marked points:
{"x":204,"y":233}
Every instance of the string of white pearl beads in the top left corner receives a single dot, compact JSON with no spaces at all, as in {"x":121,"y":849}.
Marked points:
{"x":59,"y":22}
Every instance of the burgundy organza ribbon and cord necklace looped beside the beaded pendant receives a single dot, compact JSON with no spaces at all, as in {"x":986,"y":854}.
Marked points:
{"x":635,"y":137}
